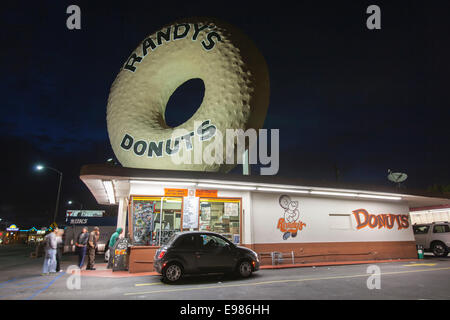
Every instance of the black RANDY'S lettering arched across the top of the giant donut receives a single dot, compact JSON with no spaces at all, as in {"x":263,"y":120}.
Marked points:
{"x":179,"y":31}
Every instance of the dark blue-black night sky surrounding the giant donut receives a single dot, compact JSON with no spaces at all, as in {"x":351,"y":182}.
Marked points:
{"x":343,"y":96}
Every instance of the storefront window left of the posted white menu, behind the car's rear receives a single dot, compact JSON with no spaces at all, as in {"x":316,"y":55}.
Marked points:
{"x":151,"y":225}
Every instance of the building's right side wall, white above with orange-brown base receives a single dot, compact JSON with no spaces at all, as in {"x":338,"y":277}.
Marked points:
{"x":329,"y":238}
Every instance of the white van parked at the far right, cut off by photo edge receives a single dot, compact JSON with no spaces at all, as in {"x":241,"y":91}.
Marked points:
{"x":434,"y":237}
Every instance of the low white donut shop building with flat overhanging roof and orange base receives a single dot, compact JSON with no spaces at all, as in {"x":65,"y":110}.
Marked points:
{"x":307,"y":223}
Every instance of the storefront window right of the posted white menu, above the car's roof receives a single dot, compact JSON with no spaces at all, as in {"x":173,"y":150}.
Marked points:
{"x":221,"y":216}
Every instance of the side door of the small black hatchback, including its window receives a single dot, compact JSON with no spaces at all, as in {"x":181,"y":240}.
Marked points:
{"x":214,"y":254}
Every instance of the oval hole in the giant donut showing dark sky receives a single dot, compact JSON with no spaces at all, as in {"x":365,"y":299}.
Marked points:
{"x":184,"y":102}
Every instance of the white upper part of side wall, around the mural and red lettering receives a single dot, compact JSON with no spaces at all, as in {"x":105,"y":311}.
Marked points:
{"x":319,"y":225}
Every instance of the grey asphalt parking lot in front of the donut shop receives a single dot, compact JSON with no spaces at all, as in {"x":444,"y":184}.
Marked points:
{"x":427,"y":279}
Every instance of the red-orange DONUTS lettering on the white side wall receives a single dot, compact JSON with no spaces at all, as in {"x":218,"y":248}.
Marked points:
{"x":364,"y":219}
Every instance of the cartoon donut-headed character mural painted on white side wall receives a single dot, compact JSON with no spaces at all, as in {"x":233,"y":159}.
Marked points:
{"x":289,"y":225}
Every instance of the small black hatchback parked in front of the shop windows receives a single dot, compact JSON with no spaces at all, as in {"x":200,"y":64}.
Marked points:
{"x":203,"y":252}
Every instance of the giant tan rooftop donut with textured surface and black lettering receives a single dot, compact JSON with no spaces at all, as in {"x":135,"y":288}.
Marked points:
{"x":236,"y":95}
